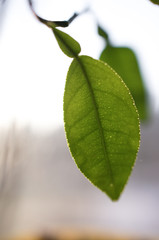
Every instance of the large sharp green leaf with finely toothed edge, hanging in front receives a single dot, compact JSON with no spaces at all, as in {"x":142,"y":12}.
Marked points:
{"x":101,"y":124}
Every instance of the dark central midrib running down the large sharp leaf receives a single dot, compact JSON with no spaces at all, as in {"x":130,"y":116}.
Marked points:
{"x":98,"y":120}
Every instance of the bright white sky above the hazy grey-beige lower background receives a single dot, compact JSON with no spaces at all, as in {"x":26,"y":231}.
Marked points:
{"x":33,"y":69}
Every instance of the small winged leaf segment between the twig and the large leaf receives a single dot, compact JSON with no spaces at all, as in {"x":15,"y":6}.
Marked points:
{"x":67,"y":44}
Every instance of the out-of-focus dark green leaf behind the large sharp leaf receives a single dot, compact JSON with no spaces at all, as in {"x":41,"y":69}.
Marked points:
{"x":123,"y":60}
